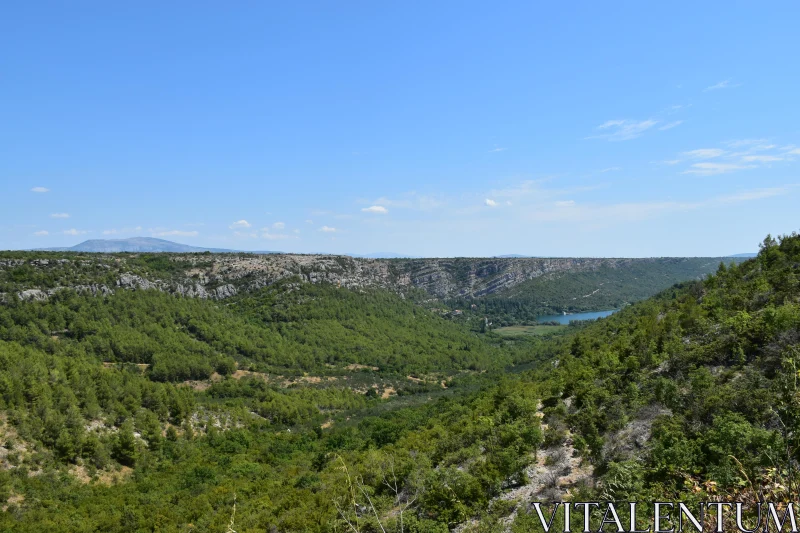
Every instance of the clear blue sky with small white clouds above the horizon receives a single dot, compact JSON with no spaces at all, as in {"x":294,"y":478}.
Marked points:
{"x":426,"y":128}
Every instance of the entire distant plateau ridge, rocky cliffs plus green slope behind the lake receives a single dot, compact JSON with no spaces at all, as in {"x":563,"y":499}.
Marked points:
{"x":535,"y":283}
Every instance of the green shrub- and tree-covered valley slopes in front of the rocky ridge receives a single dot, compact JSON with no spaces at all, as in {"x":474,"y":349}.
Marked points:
{"x":144,"y":411}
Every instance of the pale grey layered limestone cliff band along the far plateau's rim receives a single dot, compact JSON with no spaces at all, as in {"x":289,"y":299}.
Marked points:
{"x":220,"y":276}
